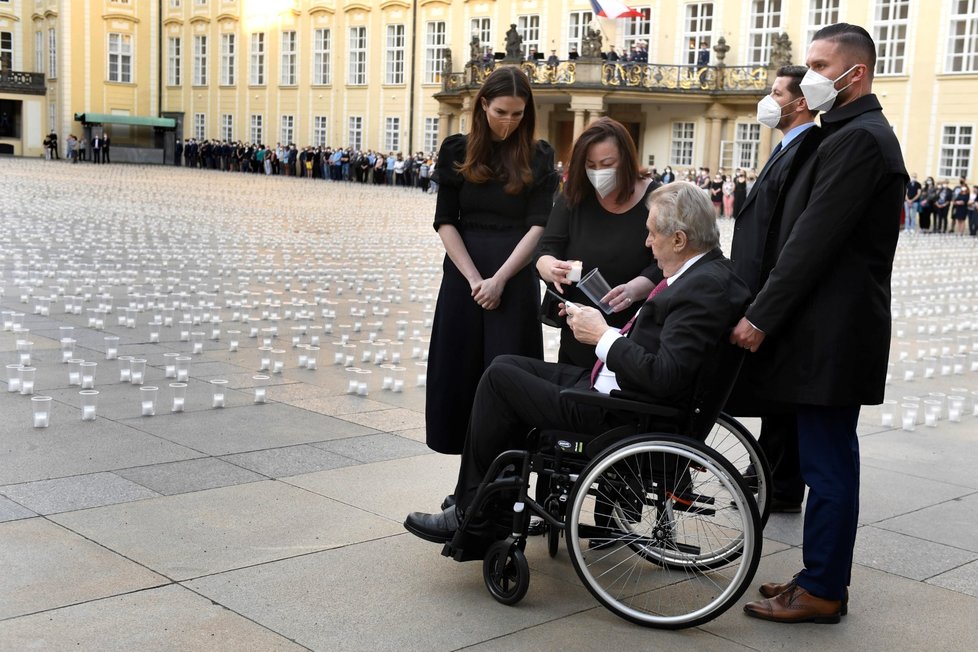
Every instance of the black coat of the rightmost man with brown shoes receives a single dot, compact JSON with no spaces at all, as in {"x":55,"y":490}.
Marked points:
{"x":825,"y":306}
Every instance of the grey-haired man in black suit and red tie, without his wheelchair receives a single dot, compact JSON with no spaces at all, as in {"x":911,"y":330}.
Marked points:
{"x":656,"y":358}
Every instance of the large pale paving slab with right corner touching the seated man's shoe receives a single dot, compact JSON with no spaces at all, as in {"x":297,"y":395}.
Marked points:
{"x":206,"y":532}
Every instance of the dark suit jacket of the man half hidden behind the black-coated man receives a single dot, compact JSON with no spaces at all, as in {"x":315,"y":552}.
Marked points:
{"x":756,"y":228}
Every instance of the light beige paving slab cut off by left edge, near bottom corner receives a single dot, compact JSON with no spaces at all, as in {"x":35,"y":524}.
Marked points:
{"x":46,"y":566}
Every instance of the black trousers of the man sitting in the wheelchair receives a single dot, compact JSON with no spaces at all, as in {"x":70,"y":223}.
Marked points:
{"x":515,"y":395}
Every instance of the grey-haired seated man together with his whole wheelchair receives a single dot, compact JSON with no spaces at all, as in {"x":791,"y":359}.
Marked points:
{"x":653,"y":518}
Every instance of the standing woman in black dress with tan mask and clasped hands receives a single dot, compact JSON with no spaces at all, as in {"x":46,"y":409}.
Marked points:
{"x":495,"y":193}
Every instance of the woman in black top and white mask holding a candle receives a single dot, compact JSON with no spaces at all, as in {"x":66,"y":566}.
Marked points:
{"x":600,"y":220}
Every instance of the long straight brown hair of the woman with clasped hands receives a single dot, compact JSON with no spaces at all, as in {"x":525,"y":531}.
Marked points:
{"x":516,"y":152}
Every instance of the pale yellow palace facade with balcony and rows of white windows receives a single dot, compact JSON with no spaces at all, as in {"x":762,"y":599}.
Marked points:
{"x":398,"y":75}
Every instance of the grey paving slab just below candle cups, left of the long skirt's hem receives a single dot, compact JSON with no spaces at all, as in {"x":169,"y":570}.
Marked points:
{"x":243,"y":429}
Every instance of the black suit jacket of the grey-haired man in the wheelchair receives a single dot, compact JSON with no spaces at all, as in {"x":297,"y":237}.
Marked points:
{"x":677,"y":331}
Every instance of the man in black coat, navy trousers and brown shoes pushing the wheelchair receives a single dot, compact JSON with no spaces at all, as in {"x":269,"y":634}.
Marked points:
{"x":824,"y":310}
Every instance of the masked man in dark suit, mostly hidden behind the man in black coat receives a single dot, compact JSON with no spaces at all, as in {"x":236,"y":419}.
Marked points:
{"x":753,"y":253}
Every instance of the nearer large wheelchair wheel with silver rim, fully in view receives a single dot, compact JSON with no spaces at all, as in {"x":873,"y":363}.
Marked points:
{"x":692,"y":541}
